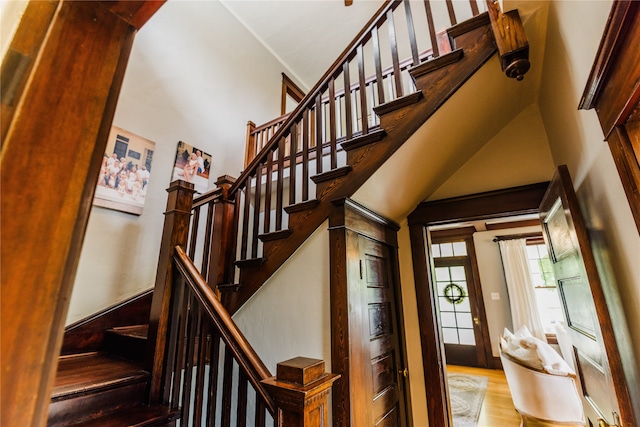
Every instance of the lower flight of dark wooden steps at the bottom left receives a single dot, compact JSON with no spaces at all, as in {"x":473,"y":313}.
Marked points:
{"x":109,"y":389}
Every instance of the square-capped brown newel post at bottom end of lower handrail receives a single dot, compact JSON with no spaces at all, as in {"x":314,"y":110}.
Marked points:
{"x":300,"y":390}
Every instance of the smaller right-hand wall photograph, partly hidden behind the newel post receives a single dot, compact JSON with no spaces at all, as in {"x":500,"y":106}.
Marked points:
{"x":192,"y":165}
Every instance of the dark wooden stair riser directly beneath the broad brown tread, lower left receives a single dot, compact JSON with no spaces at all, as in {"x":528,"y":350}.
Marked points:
{"x":80,"y":408}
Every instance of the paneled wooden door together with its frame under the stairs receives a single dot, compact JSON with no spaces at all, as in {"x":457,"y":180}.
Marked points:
{"x":366,"y":319}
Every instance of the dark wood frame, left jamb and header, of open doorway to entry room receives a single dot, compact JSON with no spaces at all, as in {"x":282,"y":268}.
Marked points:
{"x":492,"y":204}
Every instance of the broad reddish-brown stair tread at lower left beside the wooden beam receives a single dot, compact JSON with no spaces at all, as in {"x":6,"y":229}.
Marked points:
{"x":82,"y":373}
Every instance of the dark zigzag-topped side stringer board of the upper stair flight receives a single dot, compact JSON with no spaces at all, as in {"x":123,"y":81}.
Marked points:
{"x":478,"y":46}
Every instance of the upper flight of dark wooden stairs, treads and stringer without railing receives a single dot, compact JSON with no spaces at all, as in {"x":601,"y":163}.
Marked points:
{"x":435,"y":80}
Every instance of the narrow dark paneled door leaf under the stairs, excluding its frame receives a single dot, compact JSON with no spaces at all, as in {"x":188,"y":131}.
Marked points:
{"x":384,"y":372}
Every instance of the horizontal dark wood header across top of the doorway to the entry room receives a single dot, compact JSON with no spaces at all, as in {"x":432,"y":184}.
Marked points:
{"x":491,"y":204}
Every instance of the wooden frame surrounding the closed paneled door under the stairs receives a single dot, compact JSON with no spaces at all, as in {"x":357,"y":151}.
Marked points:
{"x":349,"y":218}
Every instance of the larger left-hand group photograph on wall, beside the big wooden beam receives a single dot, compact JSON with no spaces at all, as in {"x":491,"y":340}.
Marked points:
{"x":125,"y":172}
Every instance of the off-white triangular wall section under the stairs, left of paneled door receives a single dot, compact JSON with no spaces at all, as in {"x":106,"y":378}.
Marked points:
{"x":293,"y":307}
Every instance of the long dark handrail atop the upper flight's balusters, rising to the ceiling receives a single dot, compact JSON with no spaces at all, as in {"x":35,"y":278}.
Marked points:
{"x":335,"y":68}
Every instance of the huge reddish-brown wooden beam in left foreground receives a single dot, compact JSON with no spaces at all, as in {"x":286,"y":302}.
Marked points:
{"x":50,"y":161}
